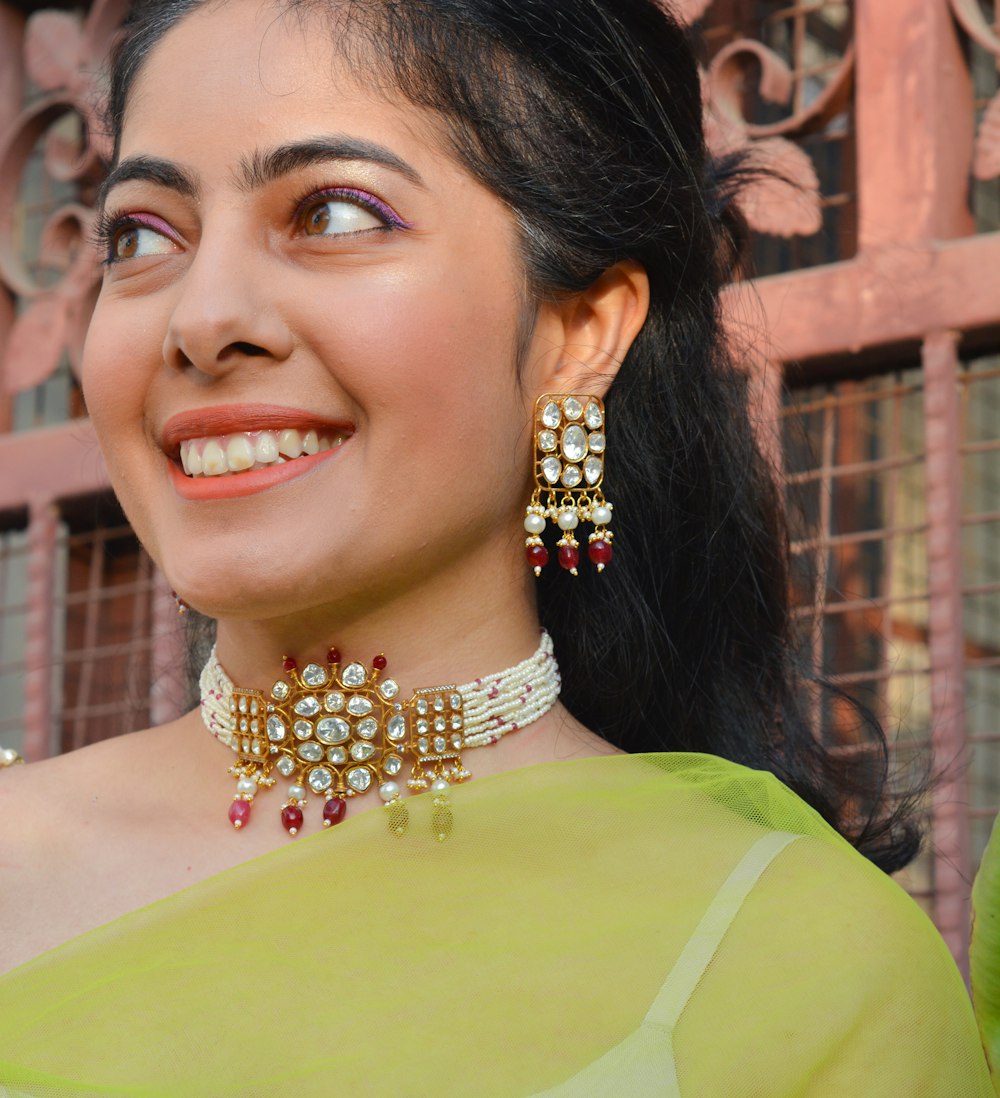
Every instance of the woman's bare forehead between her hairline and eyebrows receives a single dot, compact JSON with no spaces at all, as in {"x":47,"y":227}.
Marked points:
{"x":256,"y":72}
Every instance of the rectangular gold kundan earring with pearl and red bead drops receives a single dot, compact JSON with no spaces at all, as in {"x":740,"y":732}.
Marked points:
{"x":569,"y":472}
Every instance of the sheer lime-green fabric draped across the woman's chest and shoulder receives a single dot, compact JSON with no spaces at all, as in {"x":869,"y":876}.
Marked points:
{"x":646,"y":925}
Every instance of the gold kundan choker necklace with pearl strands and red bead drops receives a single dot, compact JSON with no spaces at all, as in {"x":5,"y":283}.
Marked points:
{"x":339,"y":731}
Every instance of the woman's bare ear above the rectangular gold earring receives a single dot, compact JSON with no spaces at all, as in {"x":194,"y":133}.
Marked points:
{"x":581,"y":341}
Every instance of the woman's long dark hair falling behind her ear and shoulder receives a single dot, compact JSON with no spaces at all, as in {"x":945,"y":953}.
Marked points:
{"x":586,"y":118}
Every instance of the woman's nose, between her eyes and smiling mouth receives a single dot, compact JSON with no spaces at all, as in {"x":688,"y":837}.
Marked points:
{"x":227,"y":312}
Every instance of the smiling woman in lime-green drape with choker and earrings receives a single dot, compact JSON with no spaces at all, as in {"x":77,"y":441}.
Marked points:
{"x":349,"y":248}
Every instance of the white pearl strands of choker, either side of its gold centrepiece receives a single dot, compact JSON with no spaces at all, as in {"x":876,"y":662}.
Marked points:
{"x":492,"y":708}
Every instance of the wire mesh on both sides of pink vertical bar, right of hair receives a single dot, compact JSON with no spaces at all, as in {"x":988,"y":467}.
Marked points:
{"x":855,"y":455}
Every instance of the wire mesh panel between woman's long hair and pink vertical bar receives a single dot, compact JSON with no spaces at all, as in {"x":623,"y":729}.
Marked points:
{"x":856,"y":501}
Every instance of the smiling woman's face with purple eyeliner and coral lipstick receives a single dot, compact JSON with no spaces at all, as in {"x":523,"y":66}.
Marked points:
{"x":297,"y":263}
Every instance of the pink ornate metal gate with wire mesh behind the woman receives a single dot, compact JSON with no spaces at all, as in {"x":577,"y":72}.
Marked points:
{"x":871,"y":338}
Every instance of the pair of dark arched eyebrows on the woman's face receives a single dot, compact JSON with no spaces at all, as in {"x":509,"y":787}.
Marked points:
{"x":262,"y":167}
